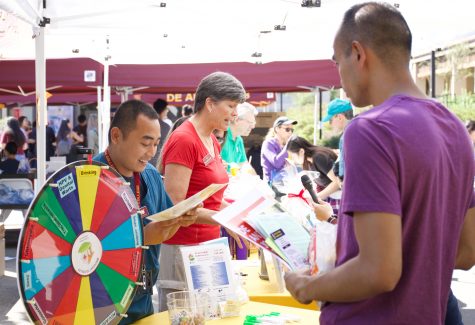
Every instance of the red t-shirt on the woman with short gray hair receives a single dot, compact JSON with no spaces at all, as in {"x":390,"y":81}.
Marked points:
{"x":184,"y":147}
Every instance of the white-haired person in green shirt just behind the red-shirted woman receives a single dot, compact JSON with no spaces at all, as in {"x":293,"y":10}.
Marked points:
{"x":232,"y":150}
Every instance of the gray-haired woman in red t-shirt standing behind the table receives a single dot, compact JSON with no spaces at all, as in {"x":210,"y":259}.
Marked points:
{"x":190,"y":162}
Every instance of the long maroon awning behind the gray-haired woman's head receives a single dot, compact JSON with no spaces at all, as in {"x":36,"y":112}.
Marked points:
{"x":282,"y":76}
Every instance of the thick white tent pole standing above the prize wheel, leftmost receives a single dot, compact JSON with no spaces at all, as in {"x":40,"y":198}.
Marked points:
{"x":41,"y":108}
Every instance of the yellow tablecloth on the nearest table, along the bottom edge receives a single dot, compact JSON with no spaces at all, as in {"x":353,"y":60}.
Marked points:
{"x":308,"y":317}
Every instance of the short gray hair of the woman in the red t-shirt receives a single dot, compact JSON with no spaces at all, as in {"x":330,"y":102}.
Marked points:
{"x":219,"y":86}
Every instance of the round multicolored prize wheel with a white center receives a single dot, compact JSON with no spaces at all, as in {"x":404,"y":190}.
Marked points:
{"x":80,"y":251}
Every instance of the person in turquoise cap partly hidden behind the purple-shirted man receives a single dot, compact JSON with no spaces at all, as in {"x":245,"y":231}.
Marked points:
{"x":340,"y":113}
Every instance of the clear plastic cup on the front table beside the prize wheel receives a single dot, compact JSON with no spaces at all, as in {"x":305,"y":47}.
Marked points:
{"x":187,"y":307}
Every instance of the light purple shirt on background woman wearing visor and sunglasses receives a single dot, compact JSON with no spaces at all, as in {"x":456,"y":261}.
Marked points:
{"x":272,"y":158}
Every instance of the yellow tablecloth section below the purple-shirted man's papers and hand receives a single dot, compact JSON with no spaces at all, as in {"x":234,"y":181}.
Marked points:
{"x":264,"y":291}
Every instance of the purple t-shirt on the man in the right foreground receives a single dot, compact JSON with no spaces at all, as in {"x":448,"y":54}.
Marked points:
{"x":413,"y":158}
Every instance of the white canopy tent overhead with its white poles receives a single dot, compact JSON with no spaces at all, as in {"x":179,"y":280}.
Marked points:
{"x":190,"y":31}
